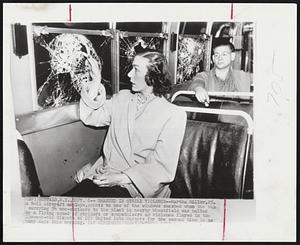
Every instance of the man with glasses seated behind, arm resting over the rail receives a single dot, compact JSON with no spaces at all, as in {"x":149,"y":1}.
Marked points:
{"x":222,"y":77}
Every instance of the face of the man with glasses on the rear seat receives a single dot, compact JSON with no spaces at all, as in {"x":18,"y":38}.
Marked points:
{"x":223,"y":57}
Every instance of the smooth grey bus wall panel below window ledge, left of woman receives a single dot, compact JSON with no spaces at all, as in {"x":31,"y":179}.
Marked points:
{"x":59,"y":152}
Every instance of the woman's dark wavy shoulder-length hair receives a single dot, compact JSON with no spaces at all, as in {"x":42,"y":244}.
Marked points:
{"x":158,"y":75}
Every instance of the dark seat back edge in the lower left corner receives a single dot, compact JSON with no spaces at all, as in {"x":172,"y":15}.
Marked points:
{"x":29,"y":178}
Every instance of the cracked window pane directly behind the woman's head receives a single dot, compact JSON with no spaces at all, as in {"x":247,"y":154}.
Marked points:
{"x":129,"y":46}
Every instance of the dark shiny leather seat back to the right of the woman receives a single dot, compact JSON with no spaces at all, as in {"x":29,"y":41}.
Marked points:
{"x":211,"y":161}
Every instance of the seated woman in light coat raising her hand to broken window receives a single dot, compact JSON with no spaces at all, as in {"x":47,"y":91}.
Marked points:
{"x":145,"y":133}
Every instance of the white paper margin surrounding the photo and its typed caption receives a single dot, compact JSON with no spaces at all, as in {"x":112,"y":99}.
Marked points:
{"x":277,"y":95}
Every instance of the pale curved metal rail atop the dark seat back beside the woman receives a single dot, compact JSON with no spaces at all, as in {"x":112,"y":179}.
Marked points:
{"x":243,"y":114}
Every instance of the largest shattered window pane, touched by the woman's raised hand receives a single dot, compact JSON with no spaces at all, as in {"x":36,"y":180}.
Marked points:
{"x":61,"y":66}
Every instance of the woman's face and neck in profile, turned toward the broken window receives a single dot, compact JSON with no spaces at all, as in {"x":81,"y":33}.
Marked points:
{"x":137,"y":75}
